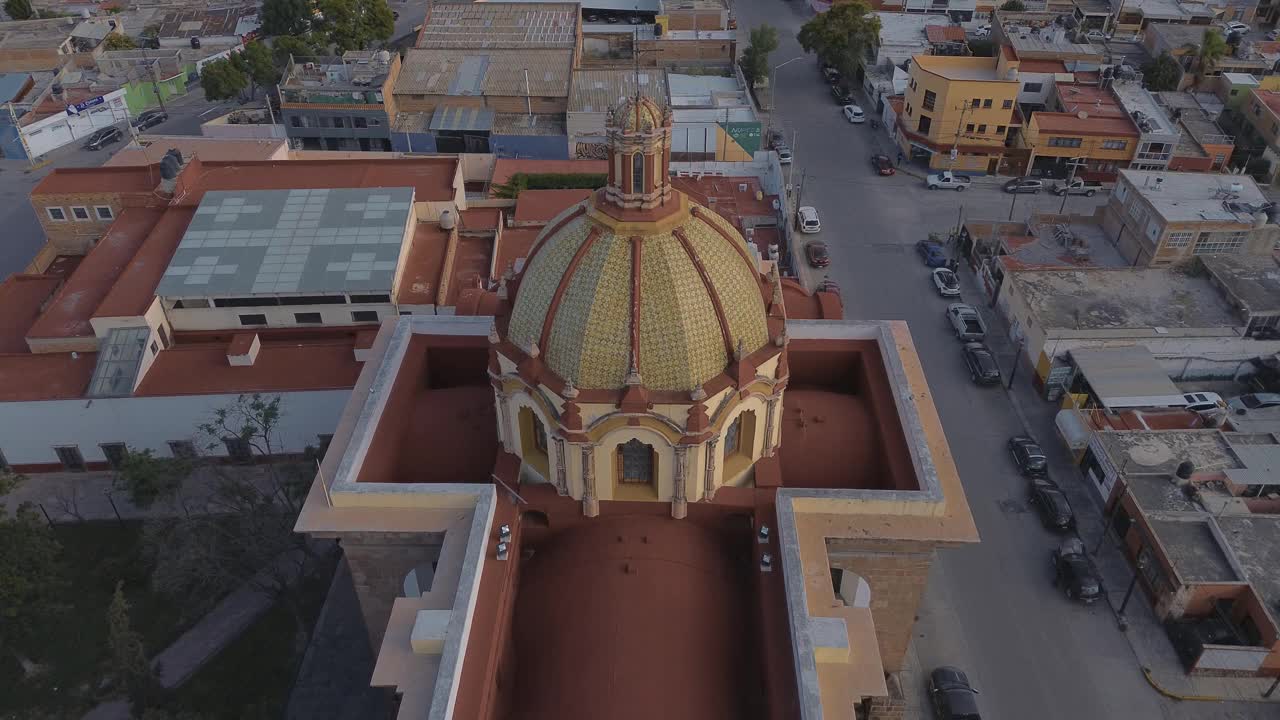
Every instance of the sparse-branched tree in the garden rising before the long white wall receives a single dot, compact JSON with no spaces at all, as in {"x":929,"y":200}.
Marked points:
{"x":248,"y":539}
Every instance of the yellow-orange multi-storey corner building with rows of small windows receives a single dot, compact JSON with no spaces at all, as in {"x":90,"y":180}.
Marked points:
{"x":958,"y":112}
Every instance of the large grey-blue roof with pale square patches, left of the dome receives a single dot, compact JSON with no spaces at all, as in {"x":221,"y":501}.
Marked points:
{"x":290,"y":241}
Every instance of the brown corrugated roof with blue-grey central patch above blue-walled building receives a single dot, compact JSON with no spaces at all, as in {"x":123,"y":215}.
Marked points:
{"x":486,"y":72}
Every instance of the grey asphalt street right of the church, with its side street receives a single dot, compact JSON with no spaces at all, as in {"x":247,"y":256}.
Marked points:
{"x":989,"y":609}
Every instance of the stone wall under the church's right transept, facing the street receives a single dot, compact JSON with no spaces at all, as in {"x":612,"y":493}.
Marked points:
{"x":897,"y":575}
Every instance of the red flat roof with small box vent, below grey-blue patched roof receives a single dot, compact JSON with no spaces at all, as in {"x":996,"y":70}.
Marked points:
{"x":281,"y":367}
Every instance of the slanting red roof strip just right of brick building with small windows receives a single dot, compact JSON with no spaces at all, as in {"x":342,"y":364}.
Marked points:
{"x":71,"y":311}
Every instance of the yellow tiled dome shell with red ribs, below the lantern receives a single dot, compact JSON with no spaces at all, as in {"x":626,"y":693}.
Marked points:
{"x":700,"y":298}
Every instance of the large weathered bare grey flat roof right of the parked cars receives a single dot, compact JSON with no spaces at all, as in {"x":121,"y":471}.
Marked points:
{"x":1123,"y":299}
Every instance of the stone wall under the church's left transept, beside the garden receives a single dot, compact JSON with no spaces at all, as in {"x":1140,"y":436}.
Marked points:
{"x":380,"y":563}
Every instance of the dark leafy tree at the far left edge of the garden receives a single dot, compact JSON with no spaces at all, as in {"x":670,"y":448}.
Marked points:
{"x":33,"y":581}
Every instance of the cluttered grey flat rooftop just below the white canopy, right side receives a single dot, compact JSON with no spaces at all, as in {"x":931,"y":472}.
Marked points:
{"x":1162,"y":452}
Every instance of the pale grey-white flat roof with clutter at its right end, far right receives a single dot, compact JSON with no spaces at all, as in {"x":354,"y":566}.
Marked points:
{"x":1190,"y":198}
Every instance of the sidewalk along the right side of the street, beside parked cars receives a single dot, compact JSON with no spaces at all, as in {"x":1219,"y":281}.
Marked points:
{"x":1153,"y":650}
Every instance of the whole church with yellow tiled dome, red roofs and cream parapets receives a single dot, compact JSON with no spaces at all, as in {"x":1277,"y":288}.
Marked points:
{"x":659,"y":482}
